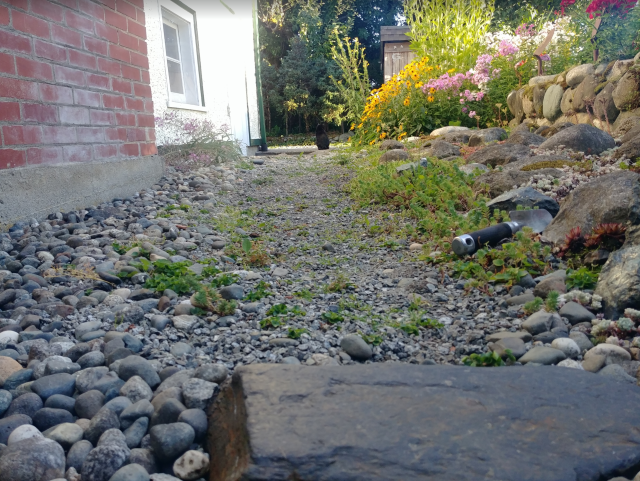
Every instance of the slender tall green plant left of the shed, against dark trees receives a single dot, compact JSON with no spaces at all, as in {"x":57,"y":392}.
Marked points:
{"x":354,"y":85}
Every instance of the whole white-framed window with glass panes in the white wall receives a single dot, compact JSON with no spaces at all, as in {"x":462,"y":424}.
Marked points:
{"x":178,"y":30}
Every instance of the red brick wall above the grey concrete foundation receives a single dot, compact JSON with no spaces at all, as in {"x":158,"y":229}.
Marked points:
{"x":74,"y":82}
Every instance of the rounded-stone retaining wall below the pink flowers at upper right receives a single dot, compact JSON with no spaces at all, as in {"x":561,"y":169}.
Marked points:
{"x":605,"y":96}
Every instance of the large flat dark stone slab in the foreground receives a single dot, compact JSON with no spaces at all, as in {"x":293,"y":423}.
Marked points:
{"x":403,"y":422}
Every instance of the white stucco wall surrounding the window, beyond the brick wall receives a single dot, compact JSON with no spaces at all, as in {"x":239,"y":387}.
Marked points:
{"x":227,"y":62}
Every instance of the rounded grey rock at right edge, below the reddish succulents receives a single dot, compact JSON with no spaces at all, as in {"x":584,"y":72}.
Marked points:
{"x":619,"y":281}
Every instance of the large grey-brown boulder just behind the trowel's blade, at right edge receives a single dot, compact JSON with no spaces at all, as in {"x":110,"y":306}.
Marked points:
{"x":587,"y":207}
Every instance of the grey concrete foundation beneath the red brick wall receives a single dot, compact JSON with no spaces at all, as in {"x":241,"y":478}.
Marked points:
{"x":36,"y":192}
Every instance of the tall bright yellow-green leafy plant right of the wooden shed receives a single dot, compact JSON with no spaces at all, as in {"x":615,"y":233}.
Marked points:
{"x":449,"y":32}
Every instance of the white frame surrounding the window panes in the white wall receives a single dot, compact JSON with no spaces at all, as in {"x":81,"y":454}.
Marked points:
{"x":176,"y":16}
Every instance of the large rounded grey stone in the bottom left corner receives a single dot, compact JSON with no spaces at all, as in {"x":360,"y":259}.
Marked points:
{"x":33,"y":459}
